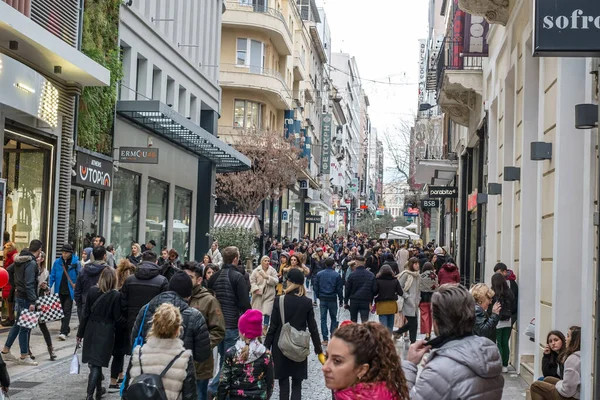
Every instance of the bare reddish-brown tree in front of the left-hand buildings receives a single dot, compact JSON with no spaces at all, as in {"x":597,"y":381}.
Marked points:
{"x":276,"y":164}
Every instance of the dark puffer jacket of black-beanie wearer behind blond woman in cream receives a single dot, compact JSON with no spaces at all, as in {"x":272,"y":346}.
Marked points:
{"x":195,"y":331}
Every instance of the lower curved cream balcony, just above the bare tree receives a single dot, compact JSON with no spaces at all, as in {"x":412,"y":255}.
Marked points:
{"x":263,"y":81}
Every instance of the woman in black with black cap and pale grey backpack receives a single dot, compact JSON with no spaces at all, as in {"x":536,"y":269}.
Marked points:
{"x":298,"y":312}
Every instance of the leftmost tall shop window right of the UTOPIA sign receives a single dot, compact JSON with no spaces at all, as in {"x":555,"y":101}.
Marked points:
{"x":125,"y":211}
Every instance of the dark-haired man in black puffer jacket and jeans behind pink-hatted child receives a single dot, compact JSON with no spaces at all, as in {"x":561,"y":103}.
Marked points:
{"x":232,"y":292}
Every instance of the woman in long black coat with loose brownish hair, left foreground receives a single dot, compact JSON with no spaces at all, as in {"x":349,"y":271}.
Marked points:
{"x":102,"y":311}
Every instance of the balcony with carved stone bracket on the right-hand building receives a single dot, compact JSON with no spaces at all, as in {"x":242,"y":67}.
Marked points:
{"x":459,"y":82}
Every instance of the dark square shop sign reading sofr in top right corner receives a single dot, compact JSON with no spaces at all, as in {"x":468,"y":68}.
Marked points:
{"x":566,"y":28}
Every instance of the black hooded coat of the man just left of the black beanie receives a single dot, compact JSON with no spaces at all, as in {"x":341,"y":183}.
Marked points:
{"x":141,"y":287}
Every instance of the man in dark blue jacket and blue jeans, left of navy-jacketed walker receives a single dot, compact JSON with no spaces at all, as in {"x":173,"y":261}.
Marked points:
{"x":328,"y":285}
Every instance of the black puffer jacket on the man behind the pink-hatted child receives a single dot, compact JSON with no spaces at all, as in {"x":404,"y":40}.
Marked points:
{"x":231,"y":291}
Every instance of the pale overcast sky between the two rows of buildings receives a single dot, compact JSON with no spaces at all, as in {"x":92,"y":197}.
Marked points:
{"x":383,"y":36}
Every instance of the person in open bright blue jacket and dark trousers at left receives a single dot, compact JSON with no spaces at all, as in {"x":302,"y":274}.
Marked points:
{"x":63,"y":277}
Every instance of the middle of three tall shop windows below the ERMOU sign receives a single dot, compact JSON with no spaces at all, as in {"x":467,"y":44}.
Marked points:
{"x":156,"y":212}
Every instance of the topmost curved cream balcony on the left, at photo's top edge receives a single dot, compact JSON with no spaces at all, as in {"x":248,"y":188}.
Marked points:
{"x":243,"y":14}
